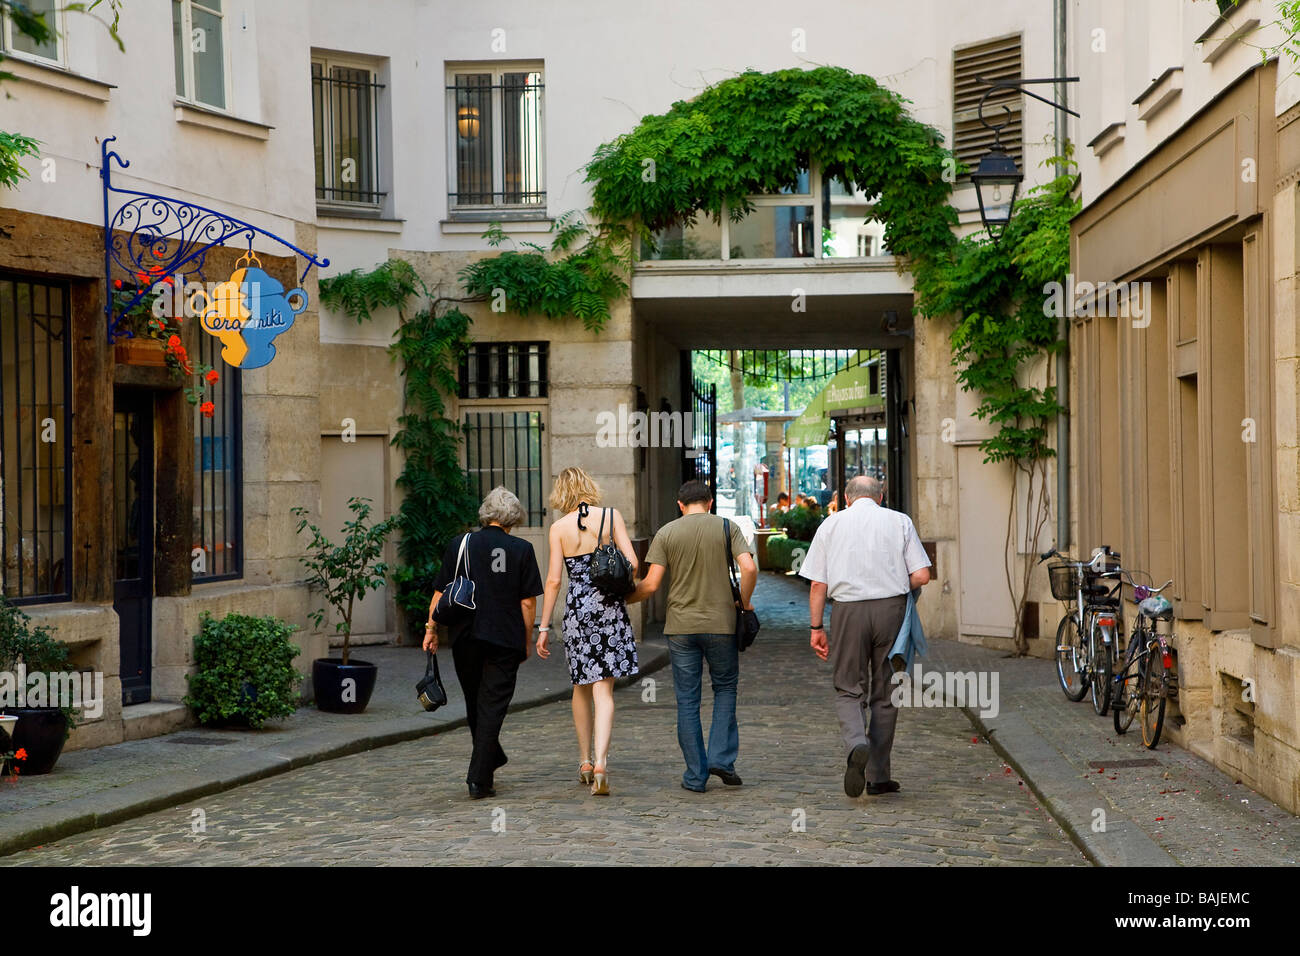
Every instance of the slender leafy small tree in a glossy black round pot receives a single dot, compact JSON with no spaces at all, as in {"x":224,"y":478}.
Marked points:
{"x":344,"y":574}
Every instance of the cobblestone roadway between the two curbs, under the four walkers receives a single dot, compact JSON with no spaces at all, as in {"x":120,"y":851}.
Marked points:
{"x":408,"y":804}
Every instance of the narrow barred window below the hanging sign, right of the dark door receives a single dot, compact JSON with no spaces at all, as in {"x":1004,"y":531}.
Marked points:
{"x":218,"y":470}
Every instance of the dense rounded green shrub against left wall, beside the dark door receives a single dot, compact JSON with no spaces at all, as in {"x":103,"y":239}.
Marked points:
{"x":246,"y":672}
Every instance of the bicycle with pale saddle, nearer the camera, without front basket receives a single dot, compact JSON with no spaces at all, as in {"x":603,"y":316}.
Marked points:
{"x":1145,"y":684}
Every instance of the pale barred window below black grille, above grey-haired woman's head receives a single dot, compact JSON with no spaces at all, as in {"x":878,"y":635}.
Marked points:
{"x":505,"y":448}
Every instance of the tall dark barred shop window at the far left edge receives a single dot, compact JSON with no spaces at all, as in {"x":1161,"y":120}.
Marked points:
{"x":36,"y":443}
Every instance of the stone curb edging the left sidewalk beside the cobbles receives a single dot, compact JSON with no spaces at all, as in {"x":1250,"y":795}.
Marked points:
{"x":71,"y":817}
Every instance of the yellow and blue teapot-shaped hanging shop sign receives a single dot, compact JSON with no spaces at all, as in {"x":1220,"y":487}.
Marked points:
{"x":248,"y":313}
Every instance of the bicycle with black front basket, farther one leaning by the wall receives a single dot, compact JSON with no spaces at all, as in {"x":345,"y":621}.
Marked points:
{"x":1086,"y":637}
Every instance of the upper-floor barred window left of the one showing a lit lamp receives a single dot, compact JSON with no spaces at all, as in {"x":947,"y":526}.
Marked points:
{"x":345,"y":120}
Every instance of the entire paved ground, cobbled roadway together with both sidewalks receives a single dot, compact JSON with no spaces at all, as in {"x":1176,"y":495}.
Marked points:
{"x":963,"y":801}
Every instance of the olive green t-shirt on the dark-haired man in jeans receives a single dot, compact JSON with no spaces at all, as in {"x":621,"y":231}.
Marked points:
{"x":692,"y":551}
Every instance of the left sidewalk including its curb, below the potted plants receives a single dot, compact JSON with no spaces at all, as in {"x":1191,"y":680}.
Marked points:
{"x":94,"y":789}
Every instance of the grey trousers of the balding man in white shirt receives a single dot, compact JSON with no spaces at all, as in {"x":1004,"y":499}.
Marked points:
{"x":863,"y":633}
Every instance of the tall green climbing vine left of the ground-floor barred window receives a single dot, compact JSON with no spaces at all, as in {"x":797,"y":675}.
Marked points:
{"x":436,"y":500}
